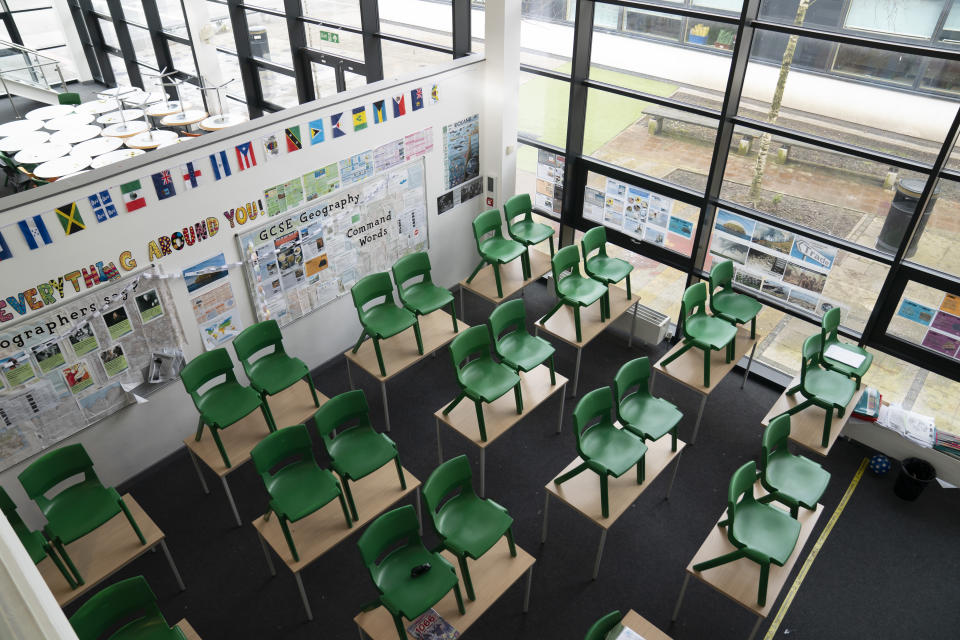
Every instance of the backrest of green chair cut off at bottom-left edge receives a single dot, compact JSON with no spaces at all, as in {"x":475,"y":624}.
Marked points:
{"x":126,"y":601}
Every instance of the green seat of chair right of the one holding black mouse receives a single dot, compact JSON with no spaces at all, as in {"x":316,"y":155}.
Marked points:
{"x":472,"y":526}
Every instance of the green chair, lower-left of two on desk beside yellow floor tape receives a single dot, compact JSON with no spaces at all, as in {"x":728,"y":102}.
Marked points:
{"x":759,"y":532}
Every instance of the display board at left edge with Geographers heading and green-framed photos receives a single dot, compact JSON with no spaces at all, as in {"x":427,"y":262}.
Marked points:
{"x":65,"y":369}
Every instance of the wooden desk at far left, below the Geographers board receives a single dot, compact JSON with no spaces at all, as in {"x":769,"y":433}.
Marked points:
{"x":106,"y":550}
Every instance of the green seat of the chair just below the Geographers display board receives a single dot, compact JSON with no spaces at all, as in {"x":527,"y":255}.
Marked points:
{"x":81,"y":508}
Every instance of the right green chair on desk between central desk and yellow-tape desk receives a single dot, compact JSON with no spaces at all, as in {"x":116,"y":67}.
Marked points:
{"x":638,"y":411}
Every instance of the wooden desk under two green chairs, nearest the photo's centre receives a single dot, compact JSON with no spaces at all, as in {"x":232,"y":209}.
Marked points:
{"x":500,"y":415}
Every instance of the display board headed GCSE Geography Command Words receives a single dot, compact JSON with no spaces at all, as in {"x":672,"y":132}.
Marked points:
{"x":301,"y":260}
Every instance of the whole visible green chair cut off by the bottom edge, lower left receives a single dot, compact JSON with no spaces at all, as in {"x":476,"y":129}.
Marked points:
{"x":117,"y":604}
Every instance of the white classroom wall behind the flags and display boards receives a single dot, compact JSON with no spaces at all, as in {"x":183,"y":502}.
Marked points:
{"x":137,"y":436}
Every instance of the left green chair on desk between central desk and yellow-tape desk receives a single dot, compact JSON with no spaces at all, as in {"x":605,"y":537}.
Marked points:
{"x":605,"y":449}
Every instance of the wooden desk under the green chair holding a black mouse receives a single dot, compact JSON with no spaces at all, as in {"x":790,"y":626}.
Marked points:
{"x":492,"y":575}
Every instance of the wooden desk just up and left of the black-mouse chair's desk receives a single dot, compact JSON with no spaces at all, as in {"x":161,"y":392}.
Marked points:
{"x":321,"y":531}
